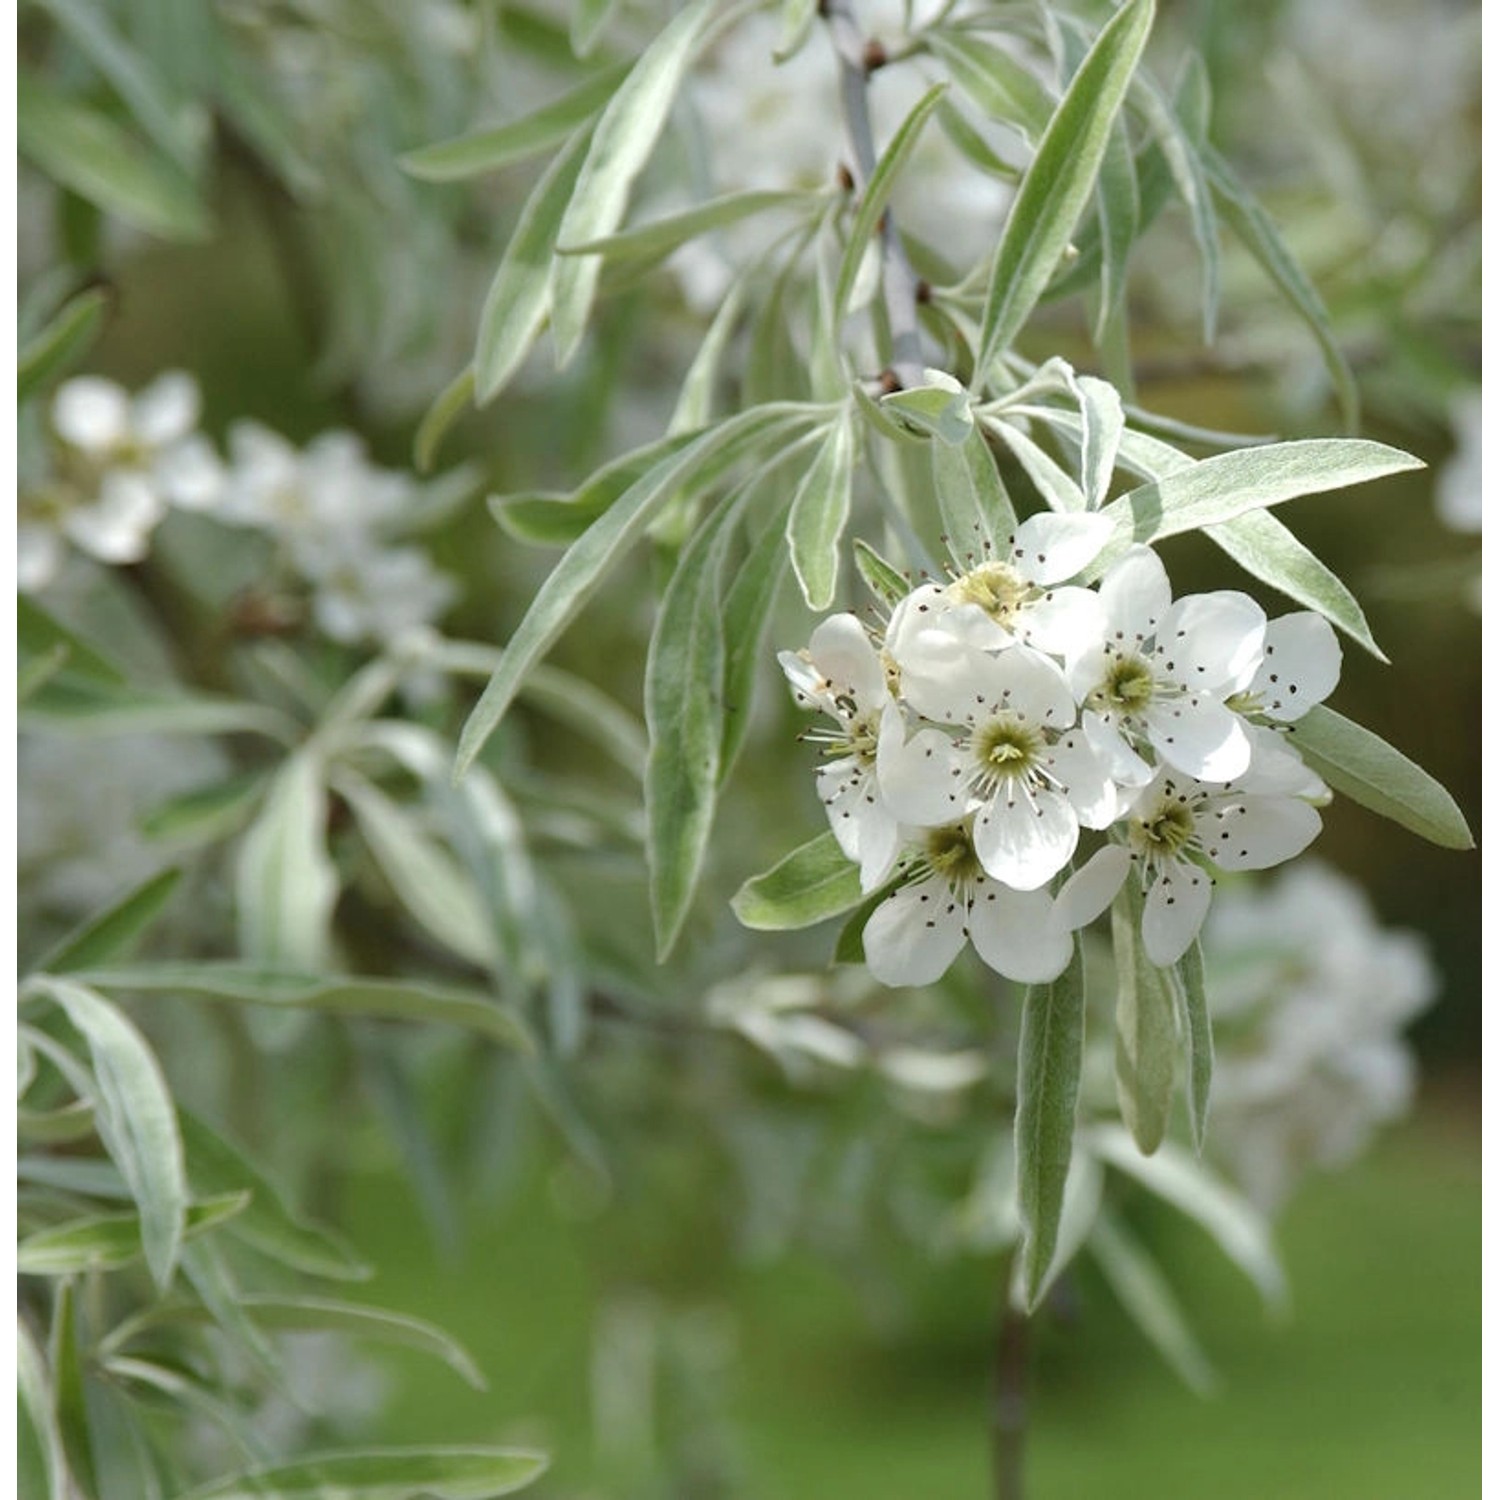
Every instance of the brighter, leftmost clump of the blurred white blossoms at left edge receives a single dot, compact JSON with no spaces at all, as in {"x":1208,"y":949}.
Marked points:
{"x":121,"y":463}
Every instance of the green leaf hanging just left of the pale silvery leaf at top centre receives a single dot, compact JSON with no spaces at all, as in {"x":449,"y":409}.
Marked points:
{"x":521,"y":295}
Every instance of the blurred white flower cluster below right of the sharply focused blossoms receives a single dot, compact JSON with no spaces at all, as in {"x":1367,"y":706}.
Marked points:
{"x":1310,"y":998}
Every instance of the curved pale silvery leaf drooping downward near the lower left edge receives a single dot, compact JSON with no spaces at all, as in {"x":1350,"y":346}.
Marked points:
{"x":134,"y":1117}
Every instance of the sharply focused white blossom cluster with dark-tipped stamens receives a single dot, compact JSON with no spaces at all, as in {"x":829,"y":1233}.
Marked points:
{"x":1007,"y":713}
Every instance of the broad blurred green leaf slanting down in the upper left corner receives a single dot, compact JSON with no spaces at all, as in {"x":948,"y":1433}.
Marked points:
{"x":89,"y":154}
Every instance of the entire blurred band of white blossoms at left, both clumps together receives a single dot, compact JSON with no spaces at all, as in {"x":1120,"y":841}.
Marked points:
{"x":122,"y":463}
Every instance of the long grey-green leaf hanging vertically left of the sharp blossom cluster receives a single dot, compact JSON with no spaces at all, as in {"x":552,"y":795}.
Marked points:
{"x":685,"y":724}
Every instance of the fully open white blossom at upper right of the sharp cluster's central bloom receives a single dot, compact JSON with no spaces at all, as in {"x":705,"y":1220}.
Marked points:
{"x":1162,"y":674}
